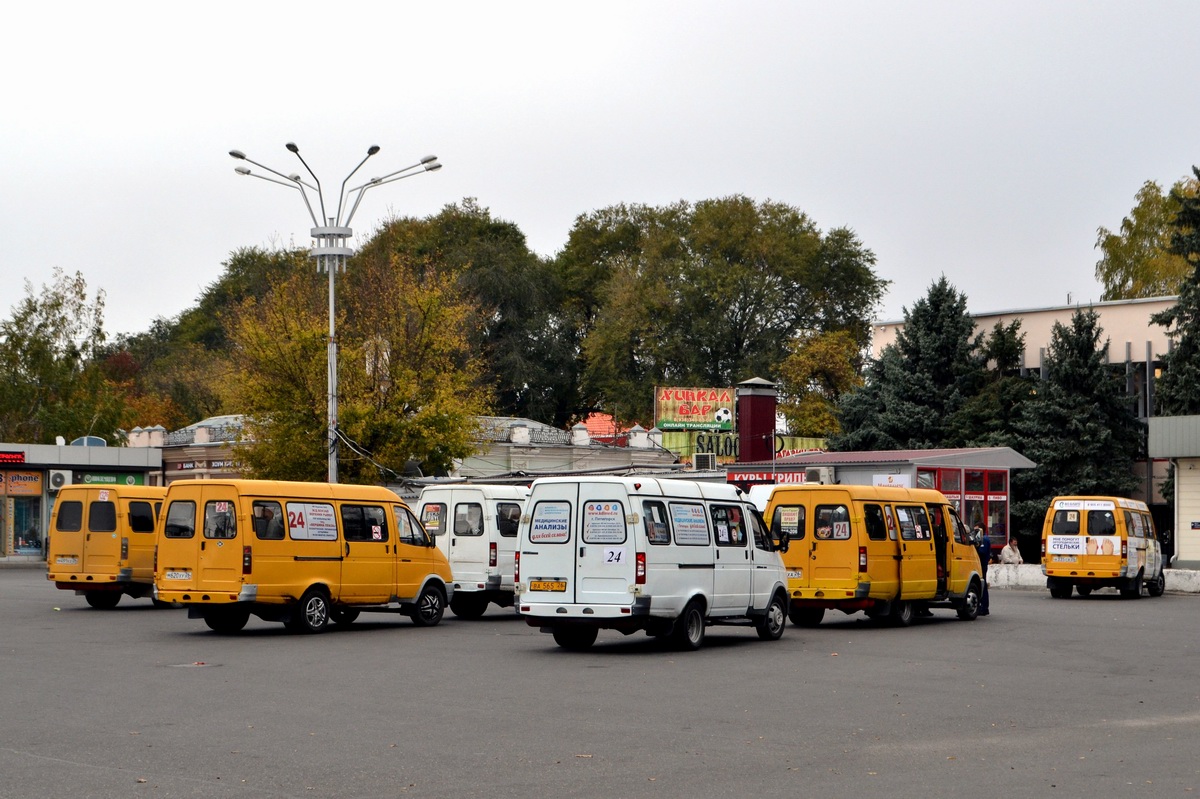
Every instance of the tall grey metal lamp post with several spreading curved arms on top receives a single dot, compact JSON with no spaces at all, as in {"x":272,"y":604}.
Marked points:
{"x":332,"y":250}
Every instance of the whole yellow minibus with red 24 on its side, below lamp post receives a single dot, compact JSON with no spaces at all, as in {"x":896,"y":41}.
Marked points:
{"x":303,"y":554}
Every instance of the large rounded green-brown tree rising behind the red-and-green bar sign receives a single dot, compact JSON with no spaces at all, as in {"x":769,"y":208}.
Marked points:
{"x":705,"y":295}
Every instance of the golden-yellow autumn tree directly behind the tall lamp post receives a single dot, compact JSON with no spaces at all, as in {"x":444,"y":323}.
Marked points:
{"x":409,"y":382}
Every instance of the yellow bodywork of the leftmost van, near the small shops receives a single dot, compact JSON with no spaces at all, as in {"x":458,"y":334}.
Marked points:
{"x":82,"y":555}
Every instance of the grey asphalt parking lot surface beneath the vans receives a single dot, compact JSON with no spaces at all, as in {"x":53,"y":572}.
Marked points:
{"x":1083,"y":698}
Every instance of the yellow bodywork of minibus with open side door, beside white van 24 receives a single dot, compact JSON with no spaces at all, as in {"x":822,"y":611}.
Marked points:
{"x":902,"y":563}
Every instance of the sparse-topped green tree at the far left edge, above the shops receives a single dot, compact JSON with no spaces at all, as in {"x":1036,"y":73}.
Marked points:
{"x":53,"y":383}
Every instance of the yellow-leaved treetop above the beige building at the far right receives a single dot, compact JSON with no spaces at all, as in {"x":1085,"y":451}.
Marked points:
{"x":1138,"y":260}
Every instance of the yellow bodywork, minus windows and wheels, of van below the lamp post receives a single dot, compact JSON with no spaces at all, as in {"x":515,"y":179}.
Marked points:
{"x":211,"y":566}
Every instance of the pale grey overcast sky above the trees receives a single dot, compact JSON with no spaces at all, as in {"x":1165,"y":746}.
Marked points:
{"x":983,"y":141}
